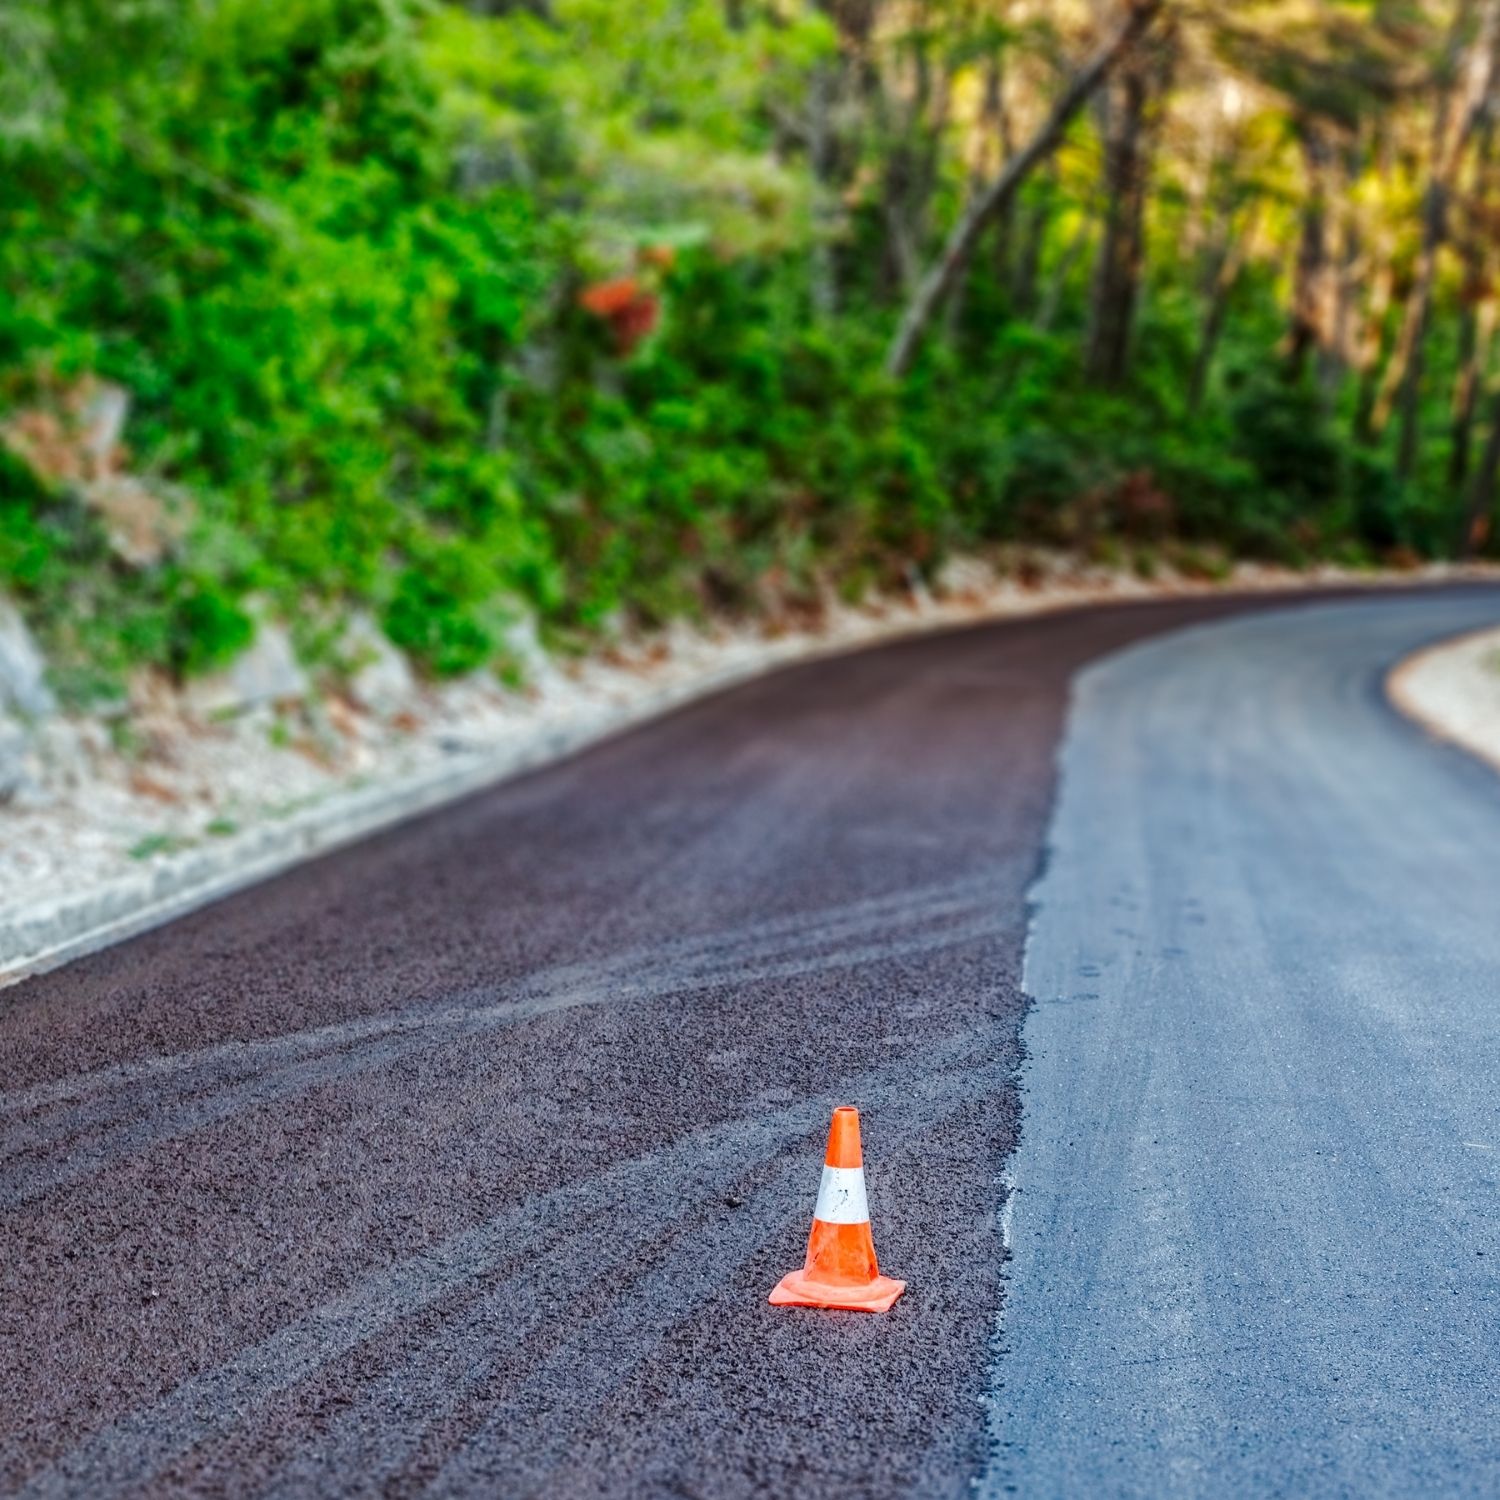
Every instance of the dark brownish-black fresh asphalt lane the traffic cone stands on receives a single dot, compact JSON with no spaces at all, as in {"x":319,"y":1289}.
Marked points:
{"x":464,"y":1162}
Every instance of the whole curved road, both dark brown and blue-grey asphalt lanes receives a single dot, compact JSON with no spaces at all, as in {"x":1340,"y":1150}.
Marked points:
{"x":461,"y":1163}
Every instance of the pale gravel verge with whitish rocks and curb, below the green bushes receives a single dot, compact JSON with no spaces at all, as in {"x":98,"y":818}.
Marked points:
{"x":178,"y":806}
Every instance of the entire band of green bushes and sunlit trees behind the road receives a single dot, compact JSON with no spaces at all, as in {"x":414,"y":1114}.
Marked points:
{"x":592,"y":314}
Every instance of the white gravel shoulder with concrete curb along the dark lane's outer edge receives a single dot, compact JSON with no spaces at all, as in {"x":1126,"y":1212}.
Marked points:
{"x":101,"y":863}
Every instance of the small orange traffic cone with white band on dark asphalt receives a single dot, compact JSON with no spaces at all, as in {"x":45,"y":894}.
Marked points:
{"x":841,"y":1270}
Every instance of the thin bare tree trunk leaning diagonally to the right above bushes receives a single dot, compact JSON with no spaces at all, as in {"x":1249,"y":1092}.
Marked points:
{"x":940,"y":280}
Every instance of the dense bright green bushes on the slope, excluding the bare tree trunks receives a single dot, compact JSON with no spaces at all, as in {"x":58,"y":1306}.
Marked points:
{"x":340,"y":254}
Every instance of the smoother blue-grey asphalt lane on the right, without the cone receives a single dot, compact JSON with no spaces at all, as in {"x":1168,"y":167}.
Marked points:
{"x":1256,"y":1220}
